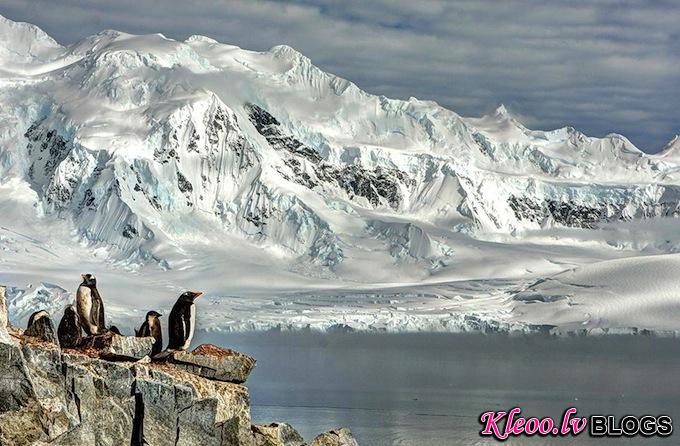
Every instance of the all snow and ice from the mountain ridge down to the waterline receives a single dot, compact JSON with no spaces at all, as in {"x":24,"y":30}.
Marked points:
{"x":296,"y":200}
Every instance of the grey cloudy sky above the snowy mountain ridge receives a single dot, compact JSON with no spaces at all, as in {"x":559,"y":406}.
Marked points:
{"x":601,"y":66}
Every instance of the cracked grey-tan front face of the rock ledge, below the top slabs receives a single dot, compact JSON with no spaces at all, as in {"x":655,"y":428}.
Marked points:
{"x":72,"y":398}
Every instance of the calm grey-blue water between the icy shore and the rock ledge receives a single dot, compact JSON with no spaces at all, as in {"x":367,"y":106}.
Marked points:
{"x":430,"y":389}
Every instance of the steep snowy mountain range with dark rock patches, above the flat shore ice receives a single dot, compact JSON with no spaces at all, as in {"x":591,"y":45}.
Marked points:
{"x":162,"y":156}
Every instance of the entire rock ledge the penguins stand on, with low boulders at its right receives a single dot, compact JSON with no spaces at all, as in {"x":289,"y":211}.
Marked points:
{"x":108,"y":392}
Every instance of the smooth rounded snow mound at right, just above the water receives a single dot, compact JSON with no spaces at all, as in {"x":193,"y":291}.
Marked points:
{"x":630,"y":292}
